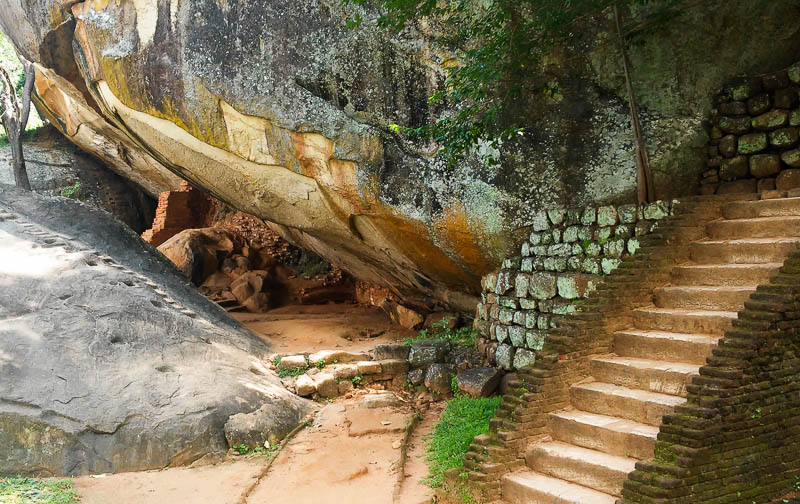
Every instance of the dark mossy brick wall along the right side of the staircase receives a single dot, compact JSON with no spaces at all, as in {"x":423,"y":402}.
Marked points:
{"x":737,"y":439}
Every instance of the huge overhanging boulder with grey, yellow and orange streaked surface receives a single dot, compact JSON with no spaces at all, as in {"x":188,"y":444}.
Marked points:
{"x":277,"y":108}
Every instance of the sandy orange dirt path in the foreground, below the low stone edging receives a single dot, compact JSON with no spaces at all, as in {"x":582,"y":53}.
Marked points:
{"x":349,"y":454}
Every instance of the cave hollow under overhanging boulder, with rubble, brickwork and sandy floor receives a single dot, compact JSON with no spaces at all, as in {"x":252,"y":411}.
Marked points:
{"x":289,"y":296}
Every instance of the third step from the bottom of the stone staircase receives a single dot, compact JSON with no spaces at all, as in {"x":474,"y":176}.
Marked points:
{"x":612,"y":435}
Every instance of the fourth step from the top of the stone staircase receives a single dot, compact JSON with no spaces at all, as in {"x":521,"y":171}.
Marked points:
{"x":724,"y":274}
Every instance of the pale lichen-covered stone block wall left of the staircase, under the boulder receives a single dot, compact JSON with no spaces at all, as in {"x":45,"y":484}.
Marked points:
{"x":566,"y":255}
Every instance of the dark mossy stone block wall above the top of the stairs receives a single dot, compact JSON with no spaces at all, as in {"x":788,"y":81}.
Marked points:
{"x":755,"y":135}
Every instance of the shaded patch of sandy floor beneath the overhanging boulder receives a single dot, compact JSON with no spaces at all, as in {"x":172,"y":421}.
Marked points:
{"x":307,"y":328}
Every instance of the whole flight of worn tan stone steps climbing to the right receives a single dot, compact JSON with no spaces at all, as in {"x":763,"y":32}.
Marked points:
{"x":614,"y":414}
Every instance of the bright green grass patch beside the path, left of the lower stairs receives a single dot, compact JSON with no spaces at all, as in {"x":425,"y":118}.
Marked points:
{"x":462,"y":420}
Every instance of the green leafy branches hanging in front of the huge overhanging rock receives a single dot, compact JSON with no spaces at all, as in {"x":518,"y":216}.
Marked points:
{"x":502,"y":48}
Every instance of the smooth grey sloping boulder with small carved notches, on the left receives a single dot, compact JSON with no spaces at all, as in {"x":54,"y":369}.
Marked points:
{"x":109,"y":359}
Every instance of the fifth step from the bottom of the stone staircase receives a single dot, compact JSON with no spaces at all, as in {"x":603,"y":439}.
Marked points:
{"x":645,"y":374}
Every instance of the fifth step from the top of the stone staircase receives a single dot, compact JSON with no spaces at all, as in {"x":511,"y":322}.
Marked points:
{"x":723,"y":298}
